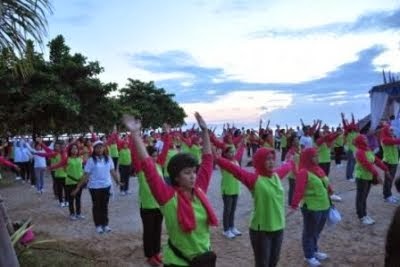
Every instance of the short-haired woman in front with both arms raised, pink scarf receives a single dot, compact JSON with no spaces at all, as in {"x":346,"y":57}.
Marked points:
{"x":185,"y":206}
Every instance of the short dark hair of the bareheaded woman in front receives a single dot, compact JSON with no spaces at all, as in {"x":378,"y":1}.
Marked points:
{"x":179,"y":162}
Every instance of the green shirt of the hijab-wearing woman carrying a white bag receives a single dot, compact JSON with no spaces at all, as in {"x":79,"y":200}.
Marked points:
{"x":316,"y":197}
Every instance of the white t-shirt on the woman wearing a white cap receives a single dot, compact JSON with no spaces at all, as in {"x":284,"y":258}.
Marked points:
{"x":99,"y":173}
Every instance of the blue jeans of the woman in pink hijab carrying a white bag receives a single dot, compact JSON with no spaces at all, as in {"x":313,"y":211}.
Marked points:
{"x":313,"y":223}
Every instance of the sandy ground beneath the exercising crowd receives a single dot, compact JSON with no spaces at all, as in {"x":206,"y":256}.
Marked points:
{"x":348,"y":244}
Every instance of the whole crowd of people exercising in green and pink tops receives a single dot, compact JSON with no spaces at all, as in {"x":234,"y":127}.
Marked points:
{"x":174,"y":169}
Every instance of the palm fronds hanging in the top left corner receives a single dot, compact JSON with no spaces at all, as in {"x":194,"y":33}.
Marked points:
{"x":21,"y":20}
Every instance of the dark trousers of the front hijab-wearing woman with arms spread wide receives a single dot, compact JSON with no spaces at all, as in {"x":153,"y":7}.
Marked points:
{"x":266,"y":247}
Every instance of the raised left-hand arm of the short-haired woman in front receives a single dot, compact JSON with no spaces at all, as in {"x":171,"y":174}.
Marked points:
{"x":161,"y":192}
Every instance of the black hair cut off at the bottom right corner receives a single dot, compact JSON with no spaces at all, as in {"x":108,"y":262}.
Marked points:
{"x":392,"y":256}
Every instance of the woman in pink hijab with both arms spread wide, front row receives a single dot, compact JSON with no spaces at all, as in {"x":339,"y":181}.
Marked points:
{"x":267,"y":192}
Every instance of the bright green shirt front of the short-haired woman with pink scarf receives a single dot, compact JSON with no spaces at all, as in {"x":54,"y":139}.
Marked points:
{"x":190,"y":244}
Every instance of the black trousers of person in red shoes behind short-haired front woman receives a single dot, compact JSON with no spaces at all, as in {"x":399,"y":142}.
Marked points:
{"x":152,"y":224}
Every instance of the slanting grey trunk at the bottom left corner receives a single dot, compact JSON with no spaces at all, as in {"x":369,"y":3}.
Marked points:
{"x":7,"y":256}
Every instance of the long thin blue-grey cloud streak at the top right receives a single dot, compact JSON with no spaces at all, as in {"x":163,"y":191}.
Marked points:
{"x":370,"y":22}
